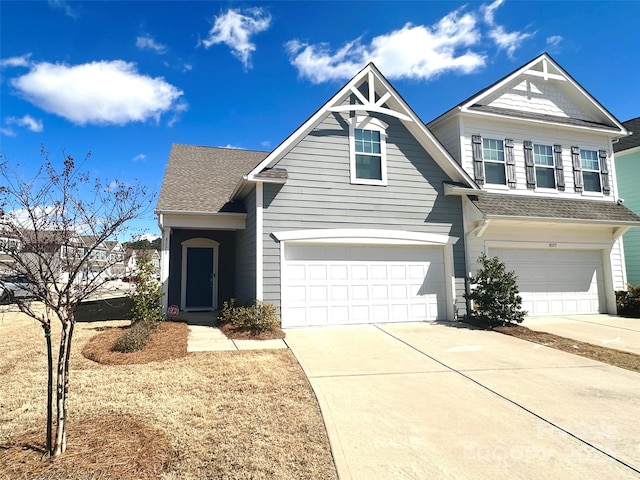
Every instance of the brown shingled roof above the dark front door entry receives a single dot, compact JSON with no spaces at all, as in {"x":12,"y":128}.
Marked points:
{"x":201,"y":179}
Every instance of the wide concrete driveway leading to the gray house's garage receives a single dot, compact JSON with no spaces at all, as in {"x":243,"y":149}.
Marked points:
{"x":442,"y":401}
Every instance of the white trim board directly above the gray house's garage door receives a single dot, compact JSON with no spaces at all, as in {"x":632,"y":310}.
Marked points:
{"x":364,"y":236}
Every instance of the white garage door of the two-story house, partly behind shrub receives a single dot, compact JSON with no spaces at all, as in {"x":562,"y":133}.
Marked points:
{"x":557,"y":281}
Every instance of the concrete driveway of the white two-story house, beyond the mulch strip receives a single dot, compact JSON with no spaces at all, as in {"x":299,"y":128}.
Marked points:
{"x":609,"y":331}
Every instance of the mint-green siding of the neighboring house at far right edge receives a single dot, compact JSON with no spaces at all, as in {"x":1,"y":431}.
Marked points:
{"x":628,"y":175}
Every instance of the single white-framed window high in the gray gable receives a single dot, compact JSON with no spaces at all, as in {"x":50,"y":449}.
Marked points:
{"x":368,"y":151}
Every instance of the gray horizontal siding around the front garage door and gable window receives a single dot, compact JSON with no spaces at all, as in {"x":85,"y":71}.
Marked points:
{"x":318,"y":194}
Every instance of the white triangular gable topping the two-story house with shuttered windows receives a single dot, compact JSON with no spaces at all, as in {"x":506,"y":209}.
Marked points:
{"x":594,"y":115}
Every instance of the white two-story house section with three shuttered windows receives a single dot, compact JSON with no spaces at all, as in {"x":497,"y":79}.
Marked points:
{"x":541,"y":149}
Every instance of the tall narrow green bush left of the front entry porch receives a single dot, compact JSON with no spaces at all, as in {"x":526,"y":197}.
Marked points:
{"x":146,"y":296}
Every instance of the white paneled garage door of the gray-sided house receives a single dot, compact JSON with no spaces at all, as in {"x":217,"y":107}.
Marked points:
{"x":343,"y":284}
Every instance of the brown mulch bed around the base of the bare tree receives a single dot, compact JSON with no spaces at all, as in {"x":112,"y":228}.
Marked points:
{"x":103,"y":447}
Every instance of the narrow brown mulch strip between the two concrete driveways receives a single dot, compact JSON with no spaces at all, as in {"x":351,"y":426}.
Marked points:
{"x":618,"y":358}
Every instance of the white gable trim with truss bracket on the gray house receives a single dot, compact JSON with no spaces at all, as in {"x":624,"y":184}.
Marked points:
{"x":381,"y":98}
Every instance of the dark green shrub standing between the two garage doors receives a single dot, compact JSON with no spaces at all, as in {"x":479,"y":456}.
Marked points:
{"x":494,"y":295}
